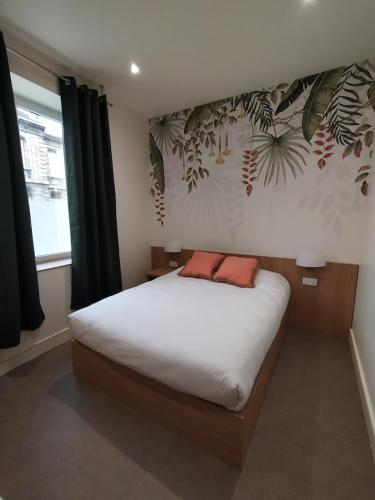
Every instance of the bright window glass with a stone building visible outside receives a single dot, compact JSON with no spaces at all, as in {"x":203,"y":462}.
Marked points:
{"x":43,"y":159}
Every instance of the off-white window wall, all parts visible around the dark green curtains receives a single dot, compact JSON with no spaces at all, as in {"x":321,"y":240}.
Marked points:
{"x":130,"y":153}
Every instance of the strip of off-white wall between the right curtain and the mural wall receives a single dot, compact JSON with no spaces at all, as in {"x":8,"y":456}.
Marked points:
{"x":129,"y":136}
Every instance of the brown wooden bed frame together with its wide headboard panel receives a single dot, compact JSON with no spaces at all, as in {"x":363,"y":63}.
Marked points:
{"x":327,"y":309}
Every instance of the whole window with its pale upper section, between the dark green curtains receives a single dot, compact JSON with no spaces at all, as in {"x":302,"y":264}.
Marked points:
{"x":41,"y":134}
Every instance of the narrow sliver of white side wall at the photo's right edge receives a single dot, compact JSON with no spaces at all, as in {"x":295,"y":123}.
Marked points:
{"x":364,"y":317}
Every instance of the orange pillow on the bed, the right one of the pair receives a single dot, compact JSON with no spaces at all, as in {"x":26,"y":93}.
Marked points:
{"x":238,"y":271}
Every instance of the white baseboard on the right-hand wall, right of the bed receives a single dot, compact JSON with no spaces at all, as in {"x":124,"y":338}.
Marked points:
{"x":364,"y":392}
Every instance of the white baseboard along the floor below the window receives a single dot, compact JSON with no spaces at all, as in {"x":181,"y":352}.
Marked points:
{"x":30,"y":352}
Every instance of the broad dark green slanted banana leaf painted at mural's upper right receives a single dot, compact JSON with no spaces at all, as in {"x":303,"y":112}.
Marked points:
{"x":318,"y":101}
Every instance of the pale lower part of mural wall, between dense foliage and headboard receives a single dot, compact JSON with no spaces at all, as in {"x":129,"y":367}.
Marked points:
{"x":321,"y":210}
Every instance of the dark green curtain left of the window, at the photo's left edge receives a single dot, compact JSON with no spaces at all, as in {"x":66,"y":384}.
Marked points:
{"x":20,"y":307}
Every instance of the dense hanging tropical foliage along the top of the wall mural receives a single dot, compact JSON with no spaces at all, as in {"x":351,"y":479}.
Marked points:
{"x":311,"y":123}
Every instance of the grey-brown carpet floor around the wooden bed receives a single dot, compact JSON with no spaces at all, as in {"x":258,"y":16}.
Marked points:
{"x":63,"y":439}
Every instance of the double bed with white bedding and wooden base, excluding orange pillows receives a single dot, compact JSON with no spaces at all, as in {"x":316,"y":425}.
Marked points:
{"x":190,"y":353}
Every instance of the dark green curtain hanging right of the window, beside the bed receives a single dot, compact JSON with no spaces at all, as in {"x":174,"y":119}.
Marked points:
{"x":91,"y":195}
